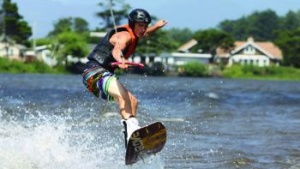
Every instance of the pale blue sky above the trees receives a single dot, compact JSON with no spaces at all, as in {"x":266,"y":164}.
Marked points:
{"x":193,"y":14}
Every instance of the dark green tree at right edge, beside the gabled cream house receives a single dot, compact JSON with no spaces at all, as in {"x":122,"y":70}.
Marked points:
{"x":288,"y":41}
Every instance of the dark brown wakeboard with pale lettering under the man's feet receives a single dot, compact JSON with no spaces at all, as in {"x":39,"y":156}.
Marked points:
{"x":145,"y":141}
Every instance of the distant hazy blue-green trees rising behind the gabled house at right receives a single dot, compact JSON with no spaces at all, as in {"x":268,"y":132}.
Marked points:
{"x":262,"y":25}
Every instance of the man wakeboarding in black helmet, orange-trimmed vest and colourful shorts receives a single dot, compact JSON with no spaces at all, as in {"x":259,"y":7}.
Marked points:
{"x":117,"y":46}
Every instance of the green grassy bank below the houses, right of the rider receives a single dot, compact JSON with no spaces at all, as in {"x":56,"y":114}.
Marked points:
{"x":196,"y":69}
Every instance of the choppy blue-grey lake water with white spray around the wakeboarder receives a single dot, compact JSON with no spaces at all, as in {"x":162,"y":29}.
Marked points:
{"x":52,"y":122}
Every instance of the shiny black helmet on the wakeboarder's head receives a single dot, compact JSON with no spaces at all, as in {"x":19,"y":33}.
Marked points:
{"x":138,"y":15}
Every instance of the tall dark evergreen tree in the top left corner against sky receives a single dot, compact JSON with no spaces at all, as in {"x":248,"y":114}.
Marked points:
{"x":13,"y":26}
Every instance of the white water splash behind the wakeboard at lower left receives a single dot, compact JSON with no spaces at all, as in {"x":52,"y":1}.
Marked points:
{"x":54,"y":142}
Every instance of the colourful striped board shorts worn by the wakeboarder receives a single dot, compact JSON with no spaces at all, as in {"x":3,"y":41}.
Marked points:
{"x":97,"y":80}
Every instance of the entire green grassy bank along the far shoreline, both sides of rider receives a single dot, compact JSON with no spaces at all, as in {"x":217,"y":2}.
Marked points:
{"x":193,"y":69}
